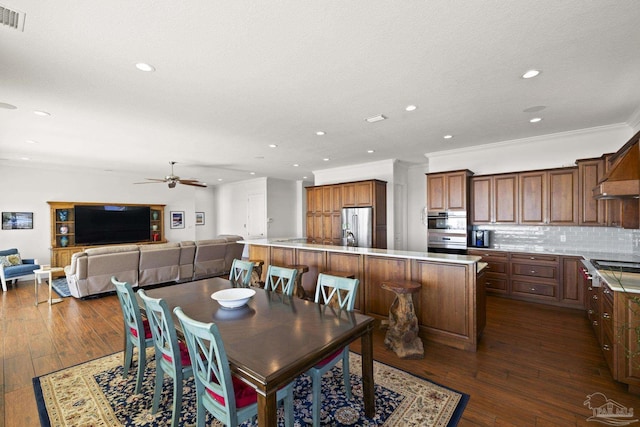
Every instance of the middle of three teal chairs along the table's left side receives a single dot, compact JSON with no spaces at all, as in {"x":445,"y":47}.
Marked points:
{"x":172,"y":356}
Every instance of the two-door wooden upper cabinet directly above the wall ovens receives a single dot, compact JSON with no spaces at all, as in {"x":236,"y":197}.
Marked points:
{"x":448,"y":191}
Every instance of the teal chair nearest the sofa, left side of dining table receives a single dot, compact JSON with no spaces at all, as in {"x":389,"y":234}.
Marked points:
{"x":136,"y":331}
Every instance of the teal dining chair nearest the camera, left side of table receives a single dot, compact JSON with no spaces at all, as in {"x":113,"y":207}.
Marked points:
{"x":229,"y":399}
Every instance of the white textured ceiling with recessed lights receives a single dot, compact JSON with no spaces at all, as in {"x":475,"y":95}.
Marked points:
{"x":233,"y":77}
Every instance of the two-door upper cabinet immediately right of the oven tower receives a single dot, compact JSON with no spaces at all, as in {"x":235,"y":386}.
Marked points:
{"x":494,"y":199}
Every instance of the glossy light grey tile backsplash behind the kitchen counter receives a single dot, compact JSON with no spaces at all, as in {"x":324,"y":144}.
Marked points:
{"x":532,"y":238}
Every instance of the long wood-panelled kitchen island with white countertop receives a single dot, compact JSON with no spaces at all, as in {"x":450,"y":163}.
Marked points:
{"x":450,"y":306}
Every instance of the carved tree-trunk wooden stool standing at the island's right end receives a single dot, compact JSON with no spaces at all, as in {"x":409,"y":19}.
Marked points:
{"x":402,"y":335}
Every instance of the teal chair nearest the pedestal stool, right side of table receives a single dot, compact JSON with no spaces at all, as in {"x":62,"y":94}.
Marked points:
{"x":340,"y":292}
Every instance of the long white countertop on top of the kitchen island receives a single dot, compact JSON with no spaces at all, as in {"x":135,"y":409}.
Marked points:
{"x":391,"y":253}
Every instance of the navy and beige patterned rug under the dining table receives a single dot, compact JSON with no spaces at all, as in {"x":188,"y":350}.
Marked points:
{"x":95,"y":394}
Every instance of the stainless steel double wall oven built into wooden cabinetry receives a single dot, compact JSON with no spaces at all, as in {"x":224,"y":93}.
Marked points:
{"x":447,"y":232}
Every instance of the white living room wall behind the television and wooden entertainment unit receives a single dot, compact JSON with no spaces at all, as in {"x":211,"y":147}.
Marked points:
{"x":31,"y":188}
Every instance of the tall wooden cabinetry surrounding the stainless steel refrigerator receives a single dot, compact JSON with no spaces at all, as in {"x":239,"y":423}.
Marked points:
{"x":324,"y":210}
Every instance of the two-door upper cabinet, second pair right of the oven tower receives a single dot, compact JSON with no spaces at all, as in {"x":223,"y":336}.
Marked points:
{"x":549,"y":197}
